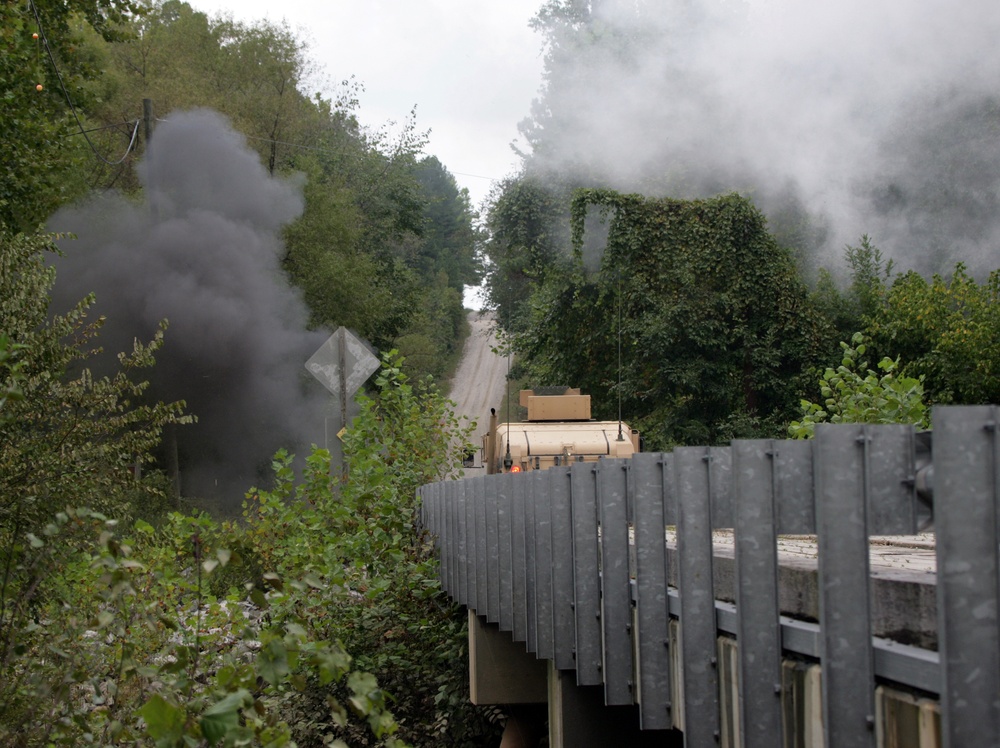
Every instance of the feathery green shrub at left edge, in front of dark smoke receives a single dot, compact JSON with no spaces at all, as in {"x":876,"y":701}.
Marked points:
{"x":70,"y":437}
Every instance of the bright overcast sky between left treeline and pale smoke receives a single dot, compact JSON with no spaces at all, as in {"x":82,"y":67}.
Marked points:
{"x":471,"y":67}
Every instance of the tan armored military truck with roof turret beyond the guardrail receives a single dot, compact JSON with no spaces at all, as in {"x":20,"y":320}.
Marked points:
{"x":558,"y":431}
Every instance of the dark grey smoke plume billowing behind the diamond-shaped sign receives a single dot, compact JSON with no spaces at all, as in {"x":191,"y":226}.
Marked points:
{"x":204,"y":253}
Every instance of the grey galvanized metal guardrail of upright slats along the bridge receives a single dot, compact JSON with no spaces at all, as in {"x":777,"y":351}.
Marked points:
{"x":574,"y":562}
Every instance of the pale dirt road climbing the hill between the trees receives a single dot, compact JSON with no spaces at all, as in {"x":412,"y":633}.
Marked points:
{"x":481,"y":377}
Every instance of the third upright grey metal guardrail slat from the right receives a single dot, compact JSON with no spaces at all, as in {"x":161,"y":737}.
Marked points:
{"x":759,"y":631}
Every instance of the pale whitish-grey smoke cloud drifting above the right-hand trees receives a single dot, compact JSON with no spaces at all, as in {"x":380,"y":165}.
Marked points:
{"x":838,"y":119}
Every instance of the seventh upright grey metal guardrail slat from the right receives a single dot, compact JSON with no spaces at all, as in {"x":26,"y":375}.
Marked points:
{"x":586,"y":574}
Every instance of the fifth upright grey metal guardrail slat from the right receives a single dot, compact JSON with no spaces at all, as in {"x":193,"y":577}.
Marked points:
{"x":652,"y":637}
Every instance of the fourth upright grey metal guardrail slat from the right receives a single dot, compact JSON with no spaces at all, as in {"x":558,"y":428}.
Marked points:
{"x":698,"y":627}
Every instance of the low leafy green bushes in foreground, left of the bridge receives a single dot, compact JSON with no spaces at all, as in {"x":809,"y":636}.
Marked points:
{"x":113,"y":634}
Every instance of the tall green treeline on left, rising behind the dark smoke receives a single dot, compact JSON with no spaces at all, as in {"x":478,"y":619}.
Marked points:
{"x":382,"y":225}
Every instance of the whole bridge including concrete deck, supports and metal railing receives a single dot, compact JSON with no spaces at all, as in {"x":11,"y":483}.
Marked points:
{"x":655,"y":601}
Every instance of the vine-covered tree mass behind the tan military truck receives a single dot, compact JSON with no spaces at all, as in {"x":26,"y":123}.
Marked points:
{"x":716,"y":329}
